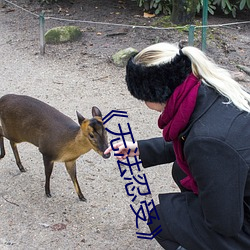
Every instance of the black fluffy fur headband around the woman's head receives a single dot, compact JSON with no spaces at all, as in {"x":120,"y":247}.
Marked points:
{"x":156,"y":83}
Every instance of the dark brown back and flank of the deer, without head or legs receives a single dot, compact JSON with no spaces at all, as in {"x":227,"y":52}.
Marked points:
{"x":24,"y":118}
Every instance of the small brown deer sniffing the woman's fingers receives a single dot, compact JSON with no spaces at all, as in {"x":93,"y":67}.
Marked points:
{"x":59,"y":138}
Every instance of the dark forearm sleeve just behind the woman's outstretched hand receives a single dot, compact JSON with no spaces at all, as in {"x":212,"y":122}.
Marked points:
{"x":155,"y":151}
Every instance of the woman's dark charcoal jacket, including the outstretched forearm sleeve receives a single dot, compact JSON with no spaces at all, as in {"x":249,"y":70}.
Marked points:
{"x":217,"y":150}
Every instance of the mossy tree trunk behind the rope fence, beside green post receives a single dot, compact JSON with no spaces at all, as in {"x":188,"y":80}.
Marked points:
{"x":183,"y":11}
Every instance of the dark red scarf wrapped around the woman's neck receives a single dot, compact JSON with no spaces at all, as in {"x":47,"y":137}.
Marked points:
{"x":174,"y":119}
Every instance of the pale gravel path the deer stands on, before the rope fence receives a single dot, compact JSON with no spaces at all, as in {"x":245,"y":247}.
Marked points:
{"x":69,"y":79}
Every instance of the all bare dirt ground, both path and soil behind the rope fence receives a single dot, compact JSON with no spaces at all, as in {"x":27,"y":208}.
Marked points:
{"x":77,"y":76}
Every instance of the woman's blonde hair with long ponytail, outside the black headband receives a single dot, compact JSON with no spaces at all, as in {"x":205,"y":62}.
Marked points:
{"x":202,"y":67}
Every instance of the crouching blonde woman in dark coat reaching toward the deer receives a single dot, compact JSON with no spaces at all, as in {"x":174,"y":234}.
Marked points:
{"x":205,"y":118}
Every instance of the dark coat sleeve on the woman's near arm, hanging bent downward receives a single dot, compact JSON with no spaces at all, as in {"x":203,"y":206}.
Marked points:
{"x":220,"y":173}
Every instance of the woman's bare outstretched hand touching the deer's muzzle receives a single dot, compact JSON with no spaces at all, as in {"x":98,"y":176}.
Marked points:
{"x":119,"y":148}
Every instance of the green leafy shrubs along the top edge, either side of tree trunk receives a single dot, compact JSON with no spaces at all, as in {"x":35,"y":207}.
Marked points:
{"x":165,"y":6}
